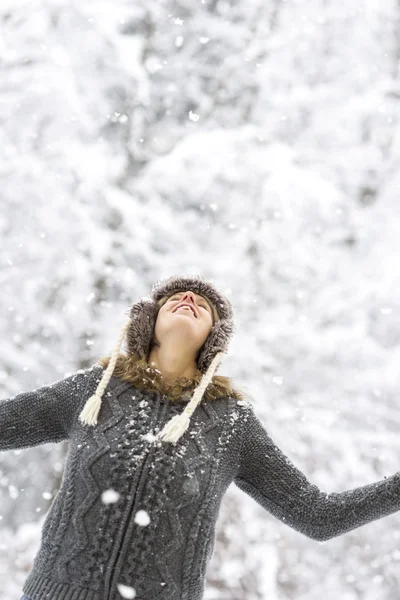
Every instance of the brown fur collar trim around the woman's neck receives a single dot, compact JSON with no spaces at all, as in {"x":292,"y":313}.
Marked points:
{"x":142,"y":375}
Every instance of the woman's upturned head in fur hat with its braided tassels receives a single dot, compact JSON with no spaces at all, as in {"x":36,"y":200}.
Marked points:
{"x":178,"y":344}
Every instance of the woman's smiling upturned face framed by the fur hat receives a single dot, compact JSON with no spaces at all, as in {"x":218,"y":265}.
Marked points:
{"x":188,"y":327}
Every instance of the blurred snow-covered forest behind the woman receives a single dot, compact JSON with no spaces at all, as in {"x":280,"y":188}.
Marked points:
{"x":256,"y":144}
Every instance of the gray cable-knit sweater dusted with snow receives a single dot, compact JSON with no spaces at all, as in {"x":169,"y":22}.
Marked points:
{"x":90,"y":547}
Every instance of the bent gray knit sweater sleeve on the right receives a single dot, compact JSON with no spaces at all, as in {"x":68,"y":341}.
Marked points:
{"x":270,"y":478}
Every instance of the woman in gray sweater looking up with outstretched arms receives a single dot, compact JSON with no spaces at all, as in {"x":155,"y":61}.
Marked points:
{"x":155,"y":439}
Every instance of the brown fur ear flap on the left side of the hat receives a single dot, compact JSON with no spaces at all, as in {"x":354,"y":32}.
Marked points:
{"x":143,"y":315}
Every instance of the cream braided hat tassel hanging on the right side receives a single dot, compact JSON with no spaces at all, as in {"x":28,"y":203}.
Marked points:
{"x":177,"y":426}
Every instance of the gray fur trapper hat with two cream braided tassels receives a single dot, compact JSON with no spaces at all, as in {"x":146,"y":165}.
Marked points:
{"x":139,"y":330}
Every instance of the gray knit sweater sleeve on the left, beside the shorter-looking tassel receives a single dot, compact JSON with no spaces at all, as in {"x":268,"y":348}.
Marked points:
{"x":42,"y":415}
